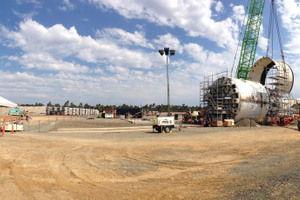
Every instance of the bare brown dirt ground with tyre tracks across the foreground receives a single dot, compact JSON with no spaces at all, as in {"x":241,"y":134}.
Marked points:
{"x":77,"y":158}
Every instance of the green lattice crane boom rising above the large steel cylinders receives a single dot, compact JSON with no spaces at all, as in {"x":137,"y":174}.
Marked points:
{"x":250,"y":39}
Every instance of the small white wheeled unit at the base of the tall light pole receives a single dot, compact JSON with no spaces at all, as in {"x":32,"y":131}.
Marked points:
{"x":163,"y":124}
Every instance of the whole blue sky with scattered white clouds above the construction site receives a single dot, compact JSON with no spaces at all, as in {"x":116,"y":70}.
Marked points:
{"x":105,"y":51}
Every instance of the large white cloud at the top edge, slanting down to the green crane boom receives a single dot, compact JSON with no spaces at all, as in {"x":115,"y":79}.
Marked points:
{"x":195,"y":17}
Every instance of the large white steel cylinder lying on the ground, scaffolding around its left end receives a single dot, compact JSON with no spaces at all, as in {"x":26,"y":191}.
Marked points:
{"x":232,"y":98}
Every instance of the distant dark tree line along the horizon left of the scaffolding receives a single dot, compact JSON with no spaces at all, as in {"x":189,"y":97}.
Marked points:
{"x":100,"y":107}
